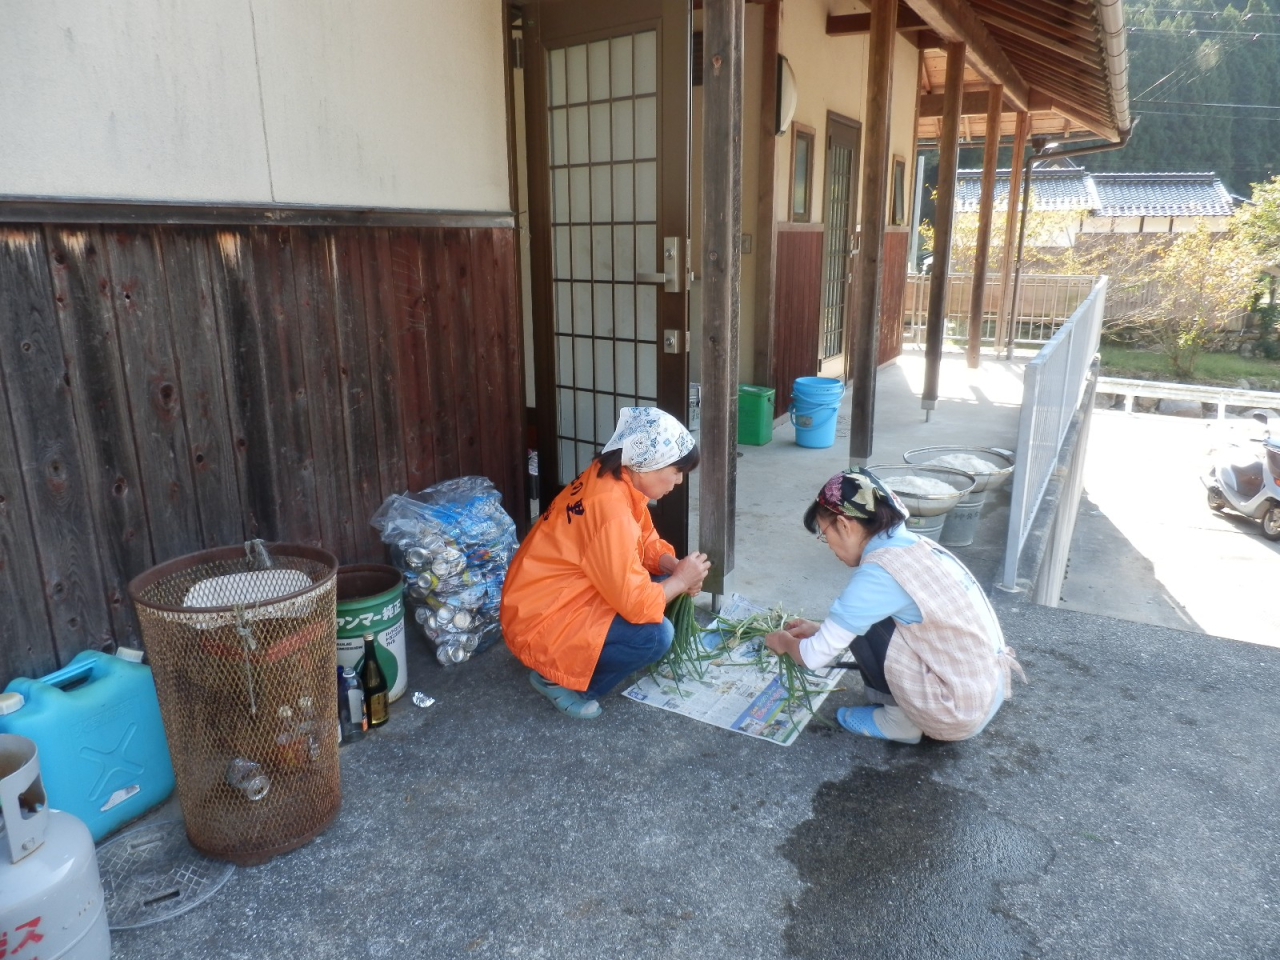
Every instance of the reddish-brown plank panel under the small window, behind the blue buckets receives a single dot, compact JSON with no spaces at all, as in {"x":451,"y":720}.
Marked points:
{"x":798,"y":308}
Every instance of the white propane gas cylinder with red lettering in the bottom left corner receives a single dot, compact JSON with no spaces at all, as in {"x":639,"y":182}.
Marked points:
{"x":51,"y":892}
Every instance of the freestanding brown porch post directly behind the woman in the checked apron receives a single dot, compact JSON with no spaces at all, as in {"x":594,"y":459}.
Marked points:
{"x":865,"y":341}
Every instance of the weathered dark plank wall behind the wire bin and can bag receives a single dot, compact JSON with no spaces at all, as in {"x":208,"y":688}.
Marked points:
{"x":166,"y":390}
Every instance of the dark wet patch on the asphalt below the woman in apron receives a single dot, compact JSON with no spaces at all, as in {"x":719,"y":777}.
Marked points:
{"x":895,"y":851}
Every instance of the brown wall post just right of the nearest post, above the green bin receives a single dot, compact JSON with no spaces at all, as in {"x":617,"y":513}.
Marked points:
{"x":766,"y":216}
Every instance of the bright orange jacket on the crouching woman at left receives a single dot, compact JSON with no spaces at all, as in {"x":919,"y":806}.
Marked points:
{"x":586,"y":560}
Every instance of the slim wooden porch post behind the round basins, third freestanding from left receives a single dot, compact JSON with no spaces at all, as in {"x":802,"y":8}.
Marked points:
{"x":949,"y":147}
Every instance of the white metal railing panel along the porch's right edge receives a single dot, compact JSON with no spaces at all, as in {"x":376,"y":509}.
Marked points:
{"x":1053,"y":388}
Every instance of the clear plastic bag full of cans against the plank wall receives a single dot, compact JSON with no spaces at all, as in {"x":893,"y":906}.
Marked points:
{"x":454,"y":542}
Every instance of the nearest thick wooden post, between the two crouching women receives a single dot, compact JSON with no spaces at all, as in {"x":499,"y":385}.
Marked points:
{"x":723,"y":204}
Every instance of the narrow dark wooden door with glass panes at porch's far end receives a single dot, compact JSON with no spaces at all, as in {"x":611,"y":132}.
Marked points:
{"x":840,"y":244}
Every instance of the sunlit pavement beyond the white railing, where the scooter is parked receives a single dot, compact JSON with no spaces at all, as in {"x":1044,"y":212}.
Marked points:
{"x":1149,"y":550}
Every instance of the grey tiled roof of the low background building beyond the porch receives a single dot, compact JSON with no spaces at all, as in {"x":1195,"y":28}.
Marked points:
{"x":1109,"y":194}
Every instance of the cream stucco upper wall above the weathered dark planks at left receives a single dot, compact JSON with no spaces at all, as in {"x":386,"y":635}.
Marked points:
{"x":353,"y":103}
